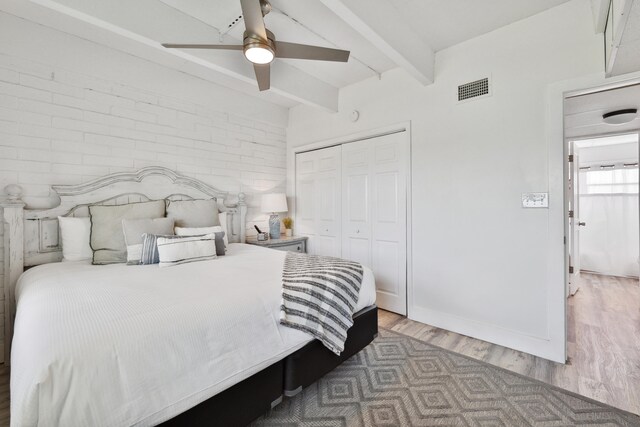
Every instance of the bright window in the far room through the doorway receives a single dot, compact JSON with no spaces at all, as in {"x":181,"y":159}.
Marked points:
{"x":609,"y":181}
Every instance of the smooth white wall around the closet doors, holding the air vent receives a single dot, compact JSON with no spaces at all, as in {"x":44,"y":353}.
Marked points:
{"x":480,"y":261}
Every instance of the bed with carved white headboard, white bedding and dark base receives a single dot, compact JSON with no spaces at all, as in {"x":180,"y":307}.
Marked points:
{"x":194,"y":344}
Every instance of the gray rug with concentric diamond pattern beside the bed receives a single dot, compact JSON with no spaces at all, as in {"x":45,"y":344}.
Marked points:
{"x":400,"y":381}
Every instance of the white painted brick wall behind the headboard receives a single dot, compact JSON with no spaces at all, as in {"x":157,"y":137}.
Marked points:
{"x":72,"y":111}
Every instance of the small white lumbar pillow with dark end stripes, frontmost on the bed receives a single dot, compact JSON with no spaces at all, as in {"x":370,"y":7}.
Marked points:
{"x":181,"y":250}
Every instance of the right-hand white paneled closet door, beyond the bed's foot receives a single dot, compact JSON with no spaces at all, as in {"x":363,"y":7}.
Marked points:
{"x":374,"y":213}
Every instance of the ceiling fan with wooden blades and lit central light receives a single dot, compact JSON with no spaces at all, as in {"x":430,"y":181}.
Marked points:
{"x":260,"y":46}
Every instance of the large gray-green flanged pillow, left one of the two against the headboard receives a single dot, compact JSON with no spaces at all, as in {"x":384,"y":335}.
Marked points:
{"x":107,"y":238}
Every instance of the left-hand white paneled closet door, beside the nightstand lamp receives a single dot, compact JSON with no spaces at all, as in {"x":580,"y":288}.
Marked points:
{"x":318,"y":201}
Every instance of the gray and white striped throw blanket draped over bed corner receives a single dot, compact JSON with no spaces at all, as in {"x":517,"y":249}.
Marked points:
{"x":319,"y":295}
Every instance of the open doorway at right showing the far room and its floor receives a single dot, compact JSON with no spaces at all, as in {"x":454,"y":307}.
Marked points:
{"x":603,"y":241}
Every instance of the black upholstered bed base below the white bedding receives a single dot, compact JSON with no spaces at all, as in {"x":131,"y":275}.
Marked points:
{"x":249,"y":399}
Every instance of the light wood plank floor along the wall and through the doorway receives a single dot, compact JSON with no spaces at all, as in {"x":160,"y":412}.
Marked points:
{"x":604,"y":346}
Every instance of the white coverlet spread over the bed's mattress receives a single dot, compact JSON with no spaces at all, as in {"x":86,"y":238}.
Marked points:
{"x":120,"y":345}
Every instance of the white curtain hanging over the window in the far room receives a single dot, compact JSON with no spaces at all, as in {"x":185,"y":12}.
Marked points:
{"x":609,"y":243}
